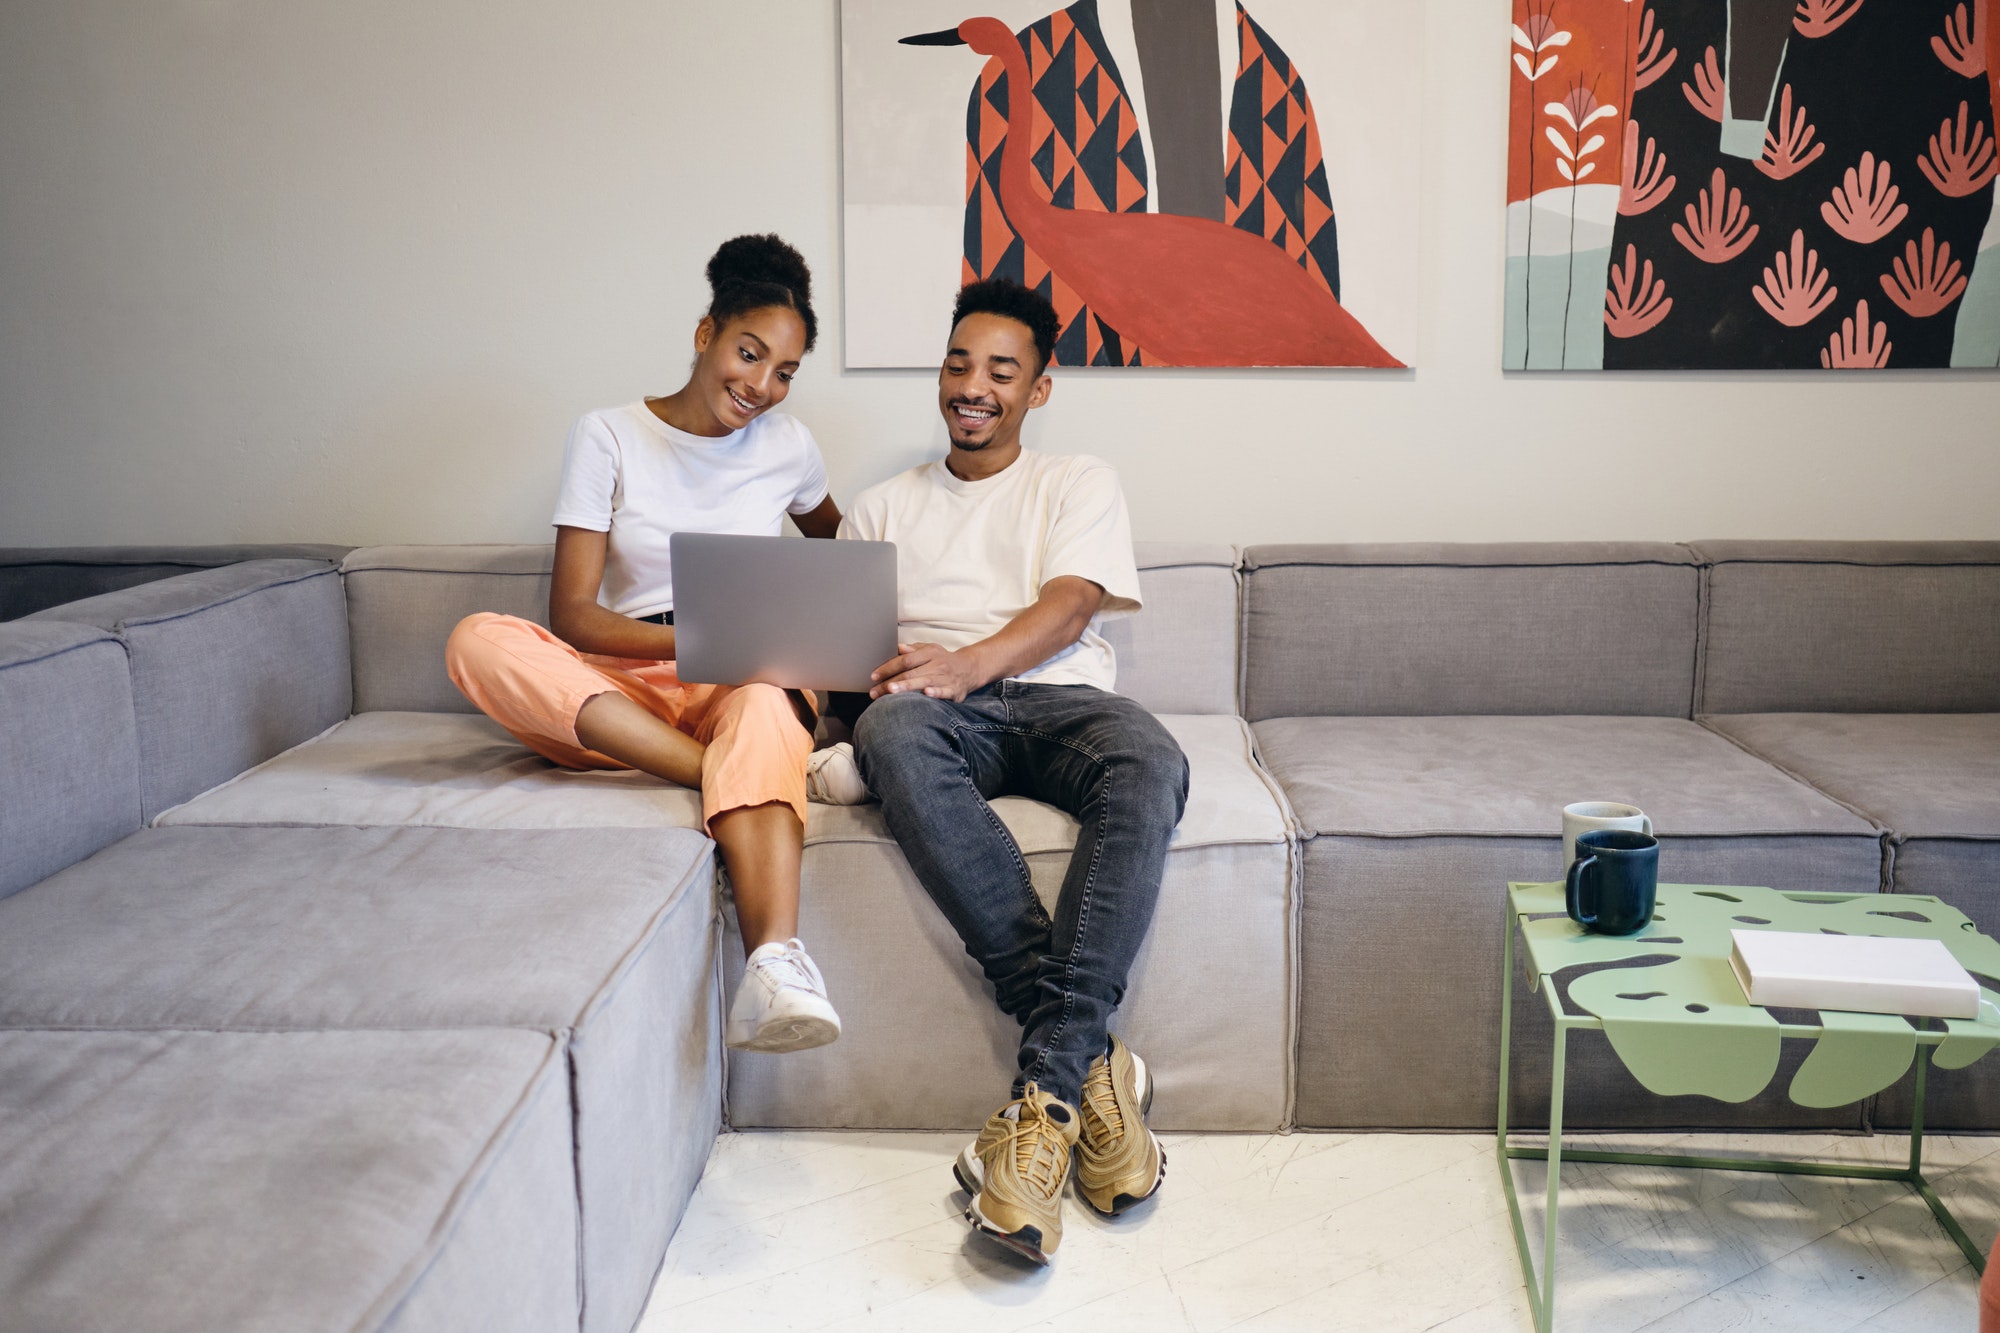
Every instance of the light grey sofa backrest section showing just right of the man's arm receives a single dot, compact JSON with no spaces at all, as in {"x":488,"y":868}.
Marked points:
{"x":1179,"y":655}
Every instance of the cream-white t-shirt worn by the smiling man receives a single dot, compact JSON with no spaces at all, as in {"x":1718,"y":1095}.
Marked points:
{"x":975,"y":555}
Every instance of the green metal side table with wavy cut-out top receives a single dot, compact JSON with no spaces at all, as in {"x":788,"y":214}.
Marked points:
{"x":1681,"y":1024}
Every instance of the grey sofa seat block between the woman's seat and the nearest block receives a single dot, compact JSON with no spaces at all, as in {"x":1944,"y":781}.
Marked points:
{"x":601,"y":932}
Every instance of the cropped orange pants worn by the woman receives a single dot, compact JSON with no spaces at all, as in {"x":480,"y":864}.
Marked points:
{"x":535,"y":686}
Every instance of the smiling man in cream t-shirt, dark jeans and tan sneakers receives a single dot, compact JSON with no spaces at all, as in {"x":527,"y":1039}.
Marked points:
{"x":1003,"y":686}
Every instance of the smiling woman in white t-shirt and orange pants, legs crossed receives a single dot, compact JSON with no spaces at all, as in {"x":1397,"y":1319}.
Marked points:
{"x":599,"y":690}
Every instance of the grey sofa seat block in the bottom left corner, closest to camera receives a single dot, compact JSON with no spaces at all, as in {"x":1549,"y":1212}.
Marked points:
{"x":305,"y":1182}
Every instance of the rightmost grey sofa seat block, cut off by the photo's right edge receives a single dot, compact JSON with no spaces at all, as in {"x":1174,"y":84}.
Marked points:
{"x":1935,"y":782}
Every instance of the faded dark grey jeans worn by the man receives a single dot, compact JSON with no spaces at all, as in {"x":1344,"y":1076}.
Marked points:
{"x":1101,"y":758}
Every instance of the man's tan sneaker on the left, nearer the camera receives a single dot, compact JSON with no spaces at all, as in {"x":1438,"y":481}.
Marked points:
{"x":1017,"y":1170}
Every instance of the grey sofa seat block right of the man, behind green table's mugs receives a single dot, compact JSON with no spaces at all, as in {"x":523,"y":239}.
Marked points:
{"x":1417,"y":826}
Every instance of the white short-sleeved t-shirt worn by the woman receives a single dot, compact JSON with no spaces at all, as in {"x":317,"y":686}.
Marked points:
{"x":631,"y":475}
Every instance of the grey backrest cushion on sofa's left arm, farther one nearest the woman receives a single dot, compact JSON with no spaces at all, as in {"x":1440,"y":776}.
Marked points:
{"x":229,"y":668}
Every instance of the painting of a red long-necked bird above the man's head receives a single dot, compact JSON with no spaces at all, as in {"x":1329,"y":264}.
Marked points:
{"x":1157,"y":171}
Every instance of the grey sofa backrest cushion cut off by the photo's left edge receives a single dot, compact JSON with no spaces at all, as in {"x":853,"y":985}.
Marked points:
{"x":69,"y":784}
